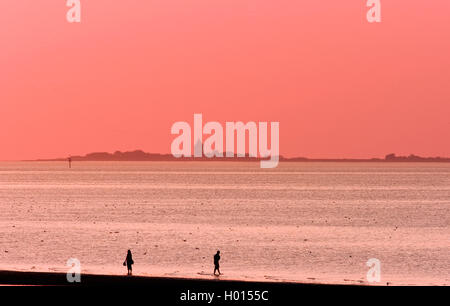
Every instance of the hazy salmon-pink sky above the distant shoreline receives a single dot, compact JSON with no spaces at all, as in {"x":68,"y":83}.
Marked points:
{"x":339,"y":86}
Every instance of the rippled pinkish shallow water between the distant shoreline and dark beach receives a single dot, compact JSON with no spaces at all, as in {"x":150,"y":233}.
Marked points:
{"x":305,"y":222}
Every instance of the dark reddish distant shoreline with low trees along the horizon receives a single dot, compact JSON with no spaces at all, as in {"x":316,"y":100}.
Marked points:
{"x":139,"y":155}
